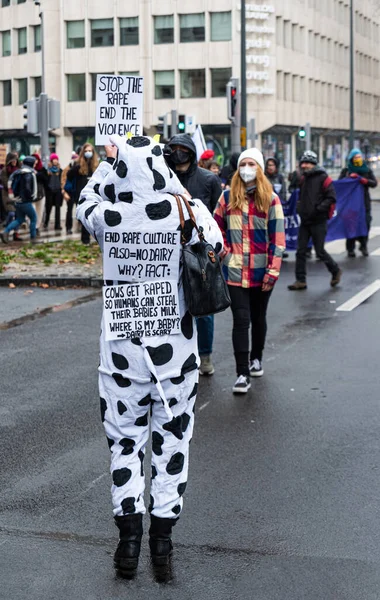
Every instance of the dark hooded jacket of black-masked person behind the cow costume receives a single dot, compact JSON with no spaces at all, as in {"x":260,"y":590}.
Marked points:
{"x":199,"y":183}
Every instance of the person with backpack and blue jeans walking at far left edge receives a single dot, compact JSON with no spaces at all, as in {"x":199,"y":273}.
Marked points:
{"x":26,"y":195}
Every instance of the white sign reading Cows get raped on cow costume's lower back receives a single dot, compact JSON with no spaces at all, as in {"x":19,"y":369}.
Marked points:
{"x":135,"y":310}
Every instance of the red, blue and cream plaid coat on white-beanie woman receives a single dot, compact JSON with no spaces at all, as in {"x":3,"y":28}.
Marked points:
{"x":254,"y":241}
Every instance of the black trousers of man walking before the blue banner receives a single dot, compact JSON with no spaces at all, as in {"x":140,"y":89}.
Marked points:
{"x":317,"y":233}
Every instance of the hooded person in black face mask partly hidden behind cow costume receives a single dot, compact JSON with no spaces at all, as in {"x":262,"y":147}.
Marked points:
{"x":181,"y":155}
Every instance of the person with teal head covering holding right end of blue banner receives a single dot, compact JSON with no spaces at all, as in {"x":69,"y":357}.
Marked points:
{"x":357,"y":168}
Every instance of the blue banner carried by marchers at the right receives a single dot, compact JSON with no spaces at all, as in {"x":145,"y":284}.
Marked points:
{"x":349,"y":219}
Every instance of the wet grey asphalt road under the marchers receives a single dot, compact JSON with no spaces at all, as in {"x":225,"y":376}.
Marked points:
{"x":284,"y":490}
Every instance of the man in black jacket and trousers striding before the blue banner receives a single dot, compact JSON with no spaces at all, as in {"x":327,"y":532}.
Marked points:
{"x":317,"y":196}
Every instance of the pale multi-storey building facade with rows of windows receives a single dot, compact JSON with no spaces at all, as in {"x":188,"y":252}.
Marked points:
{"x":297,"y":54}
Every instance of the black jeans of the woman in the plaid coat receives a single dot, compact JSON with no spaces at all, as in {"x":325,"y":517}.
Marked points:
{"x":249,"y":307}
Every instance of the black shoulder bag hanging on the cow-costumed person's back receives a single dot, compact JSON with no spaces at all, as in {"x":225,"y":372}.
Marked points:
{"x":205,"y":288}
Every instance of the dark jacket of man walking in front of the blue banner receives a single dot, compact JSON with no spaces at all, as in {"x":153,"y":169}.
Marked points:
{"x":317,"y":194}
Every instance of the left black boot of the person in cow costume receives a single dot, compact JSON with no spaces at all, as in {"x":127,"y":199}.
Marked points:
{"x":127,"y":554}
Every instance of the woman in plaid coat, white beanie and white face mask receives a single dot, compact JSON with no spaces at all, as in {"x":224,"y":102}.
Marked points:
{"x":251,"y":219}
